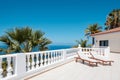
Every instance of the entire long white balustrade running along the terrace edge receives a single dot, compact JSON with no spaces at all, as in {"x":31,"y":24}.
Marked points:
{"x":23,"y":64}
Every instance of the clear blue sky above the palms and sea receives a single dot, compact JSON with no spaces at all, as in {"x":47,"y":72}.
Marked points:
{"x":63,"y":21}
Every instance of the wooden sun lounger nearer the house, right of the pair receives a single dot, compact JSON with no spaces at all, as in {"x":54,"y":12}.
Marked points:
{"x":103,"y":59}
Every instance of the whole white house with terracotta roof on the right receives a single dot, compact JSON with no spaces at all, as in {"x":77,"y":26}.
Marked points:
{"x":109,"y":38}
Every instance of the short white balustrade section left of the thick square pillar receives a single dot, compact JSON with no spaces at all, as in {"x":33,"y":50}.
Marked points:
{"x":7,"y":66}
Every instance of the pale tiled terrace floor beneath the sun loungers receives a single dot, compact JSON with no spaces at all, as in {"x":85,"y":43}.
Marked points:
{"x":79,"y":71}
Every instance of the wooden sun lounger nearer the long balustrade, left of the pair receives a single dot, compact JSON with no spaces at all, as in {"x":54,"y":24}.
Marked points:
{"x":84,"y":58}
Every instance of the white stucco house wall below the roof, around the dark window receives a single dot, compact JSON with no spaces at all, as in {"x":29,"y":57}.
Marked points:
{"x":113,"y":38}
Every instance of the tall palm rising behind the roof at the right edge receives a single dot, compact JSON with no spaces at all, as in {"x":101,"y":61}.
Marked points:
{"x":113,"y":19}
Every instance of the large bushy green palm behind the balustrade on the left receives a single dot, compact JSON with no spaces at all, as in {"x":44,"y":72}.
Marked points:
{"x":23,"y":40}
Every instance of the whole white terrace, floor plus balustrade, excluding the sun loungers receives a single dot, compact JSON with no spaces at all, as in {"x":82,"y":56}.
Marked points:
{"x":58,"y":65}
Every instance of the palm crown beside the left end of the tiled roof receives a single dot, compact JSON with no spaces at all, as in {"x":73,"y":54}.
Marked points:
{"x":92,"y":29}
